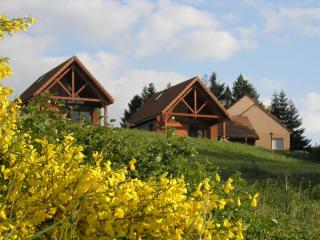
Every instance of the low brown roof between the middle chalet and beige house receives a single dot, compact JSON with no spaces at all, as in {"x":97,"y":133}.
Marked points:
{"x":240,"y":127}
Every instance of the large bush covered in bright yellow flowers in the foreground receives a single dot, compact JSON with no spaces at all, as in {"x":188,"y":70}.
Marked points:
{"x":48,"y":191}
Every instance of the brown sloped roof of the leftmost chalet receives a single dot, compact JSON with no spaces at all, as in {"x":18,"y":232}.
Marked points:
{"x":43,"y":81}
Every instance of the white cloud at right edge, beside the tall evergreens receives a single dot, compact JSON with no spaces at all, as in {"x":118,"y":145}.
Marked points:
{"x":311,"y":112}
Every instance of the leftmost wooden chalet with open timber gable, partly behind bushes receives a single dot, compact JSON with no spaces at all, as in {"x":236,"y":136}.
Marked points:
{"x":72,"y":82}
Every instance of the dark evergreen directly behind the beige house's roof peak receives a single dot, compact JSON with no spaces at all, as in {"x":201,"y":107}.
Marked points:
{"x":243,"y":87}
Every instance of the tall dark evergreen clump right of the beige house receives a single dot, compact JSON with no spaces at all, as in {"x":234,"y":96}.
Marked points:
{"x":287,"y":113}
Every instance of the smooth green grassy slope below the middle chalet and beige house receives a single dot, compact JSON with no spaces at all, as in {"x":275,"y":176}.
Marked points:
{"x":252,"y":162}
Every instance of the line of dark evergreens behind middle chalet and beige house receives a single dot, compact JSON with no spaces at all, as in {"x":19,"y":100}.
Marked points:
{"x":281,"y":106}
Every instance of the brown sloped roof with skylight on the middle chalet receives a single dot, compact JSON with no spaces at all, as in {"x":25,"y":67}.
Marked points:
{"x":161,"y":101}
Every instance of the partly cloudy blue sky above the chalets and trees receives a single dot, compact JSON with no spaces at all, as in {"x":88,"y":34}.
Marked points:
{"x":127,"y":44}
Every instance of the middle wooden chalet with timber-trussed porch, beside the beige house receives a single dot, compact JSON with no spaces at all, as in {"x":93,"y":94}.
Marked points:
{"x":189,"y":107}
